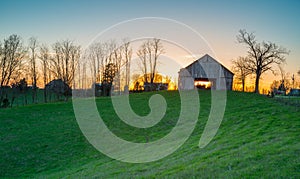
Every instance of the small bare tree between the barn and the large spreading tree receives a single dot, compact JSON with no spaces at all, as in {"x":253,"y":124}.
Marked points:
{"x":241,"y":70}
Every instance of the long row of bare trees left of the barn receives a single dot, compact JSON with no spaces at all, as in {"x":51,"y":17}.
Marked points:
{"x":102,"y":63}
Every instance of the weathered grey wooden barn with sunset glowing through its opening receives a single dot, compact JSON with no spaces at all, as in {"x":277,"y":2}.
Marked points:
{"x":205,"y":73}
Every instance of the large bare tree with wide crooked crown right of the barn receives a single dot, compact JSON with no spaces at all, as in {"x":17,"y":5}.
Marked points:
{"x":262,"y":56}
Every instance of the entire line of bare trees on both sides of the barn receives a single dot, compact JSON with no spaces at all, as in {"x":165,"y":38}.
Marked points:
{"x":106,"y":65}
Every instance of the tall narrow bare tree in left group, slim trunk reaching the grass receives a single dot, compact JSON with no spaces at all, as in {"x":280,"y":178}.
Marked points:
{"x":33,"y":46}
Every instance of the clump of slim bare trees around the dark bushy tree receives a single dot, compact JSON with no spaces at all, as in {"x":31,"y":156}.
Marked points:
{"x":100,"y":56}
